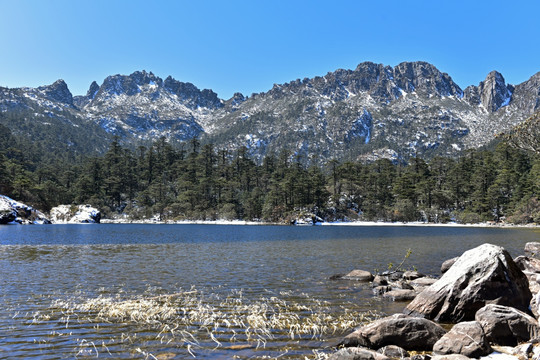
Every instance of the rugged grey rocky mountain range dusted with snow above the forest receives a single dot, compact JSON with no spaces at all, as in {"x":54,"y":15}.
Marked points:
{"x":370,"y":112}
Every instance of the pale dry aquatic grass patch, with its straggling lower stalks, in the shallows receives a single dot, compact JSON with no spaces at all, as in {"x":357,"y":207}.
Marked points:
{"x":199,"y":322}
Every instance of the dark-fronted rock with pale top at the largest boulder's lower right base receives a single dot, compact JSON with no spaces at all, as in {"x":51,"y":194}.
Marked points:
{"x":506,"y":326}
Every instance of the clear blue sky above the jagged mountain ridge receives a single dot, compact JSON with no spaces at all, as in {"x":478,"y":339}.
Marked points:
{"x":247,"y":46}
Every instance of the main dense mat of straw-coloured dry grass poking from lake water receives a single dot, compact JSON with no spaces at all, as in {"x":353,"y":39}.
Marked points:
{"x":194,"y":321}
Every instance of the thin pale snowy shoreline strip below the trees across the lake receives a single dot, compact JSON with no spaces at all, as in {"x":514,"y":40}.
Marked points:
{"x":351,"y":223}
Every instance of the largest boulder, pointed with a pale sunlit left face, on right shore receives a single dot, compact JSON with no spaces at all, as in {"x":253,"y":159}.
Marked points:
{"x":483,"y":275}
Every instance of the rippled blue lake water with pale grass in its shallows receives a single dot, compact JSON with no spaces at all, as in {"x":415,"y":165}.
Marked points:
{"x":205,"y":291}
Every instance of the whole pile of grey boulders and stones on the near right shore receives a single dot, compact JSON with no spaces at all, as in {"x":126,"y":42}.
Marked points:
{"x":485,"y":302}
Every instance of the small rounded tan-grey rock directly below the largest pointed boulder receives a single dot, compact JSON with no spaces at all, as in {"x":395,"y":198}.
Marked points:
{"x":466,"y":338}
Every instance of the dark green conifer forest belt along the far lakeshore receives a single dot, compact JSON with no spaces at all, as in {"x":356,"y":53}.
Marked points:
{"x":195,"y":181}
